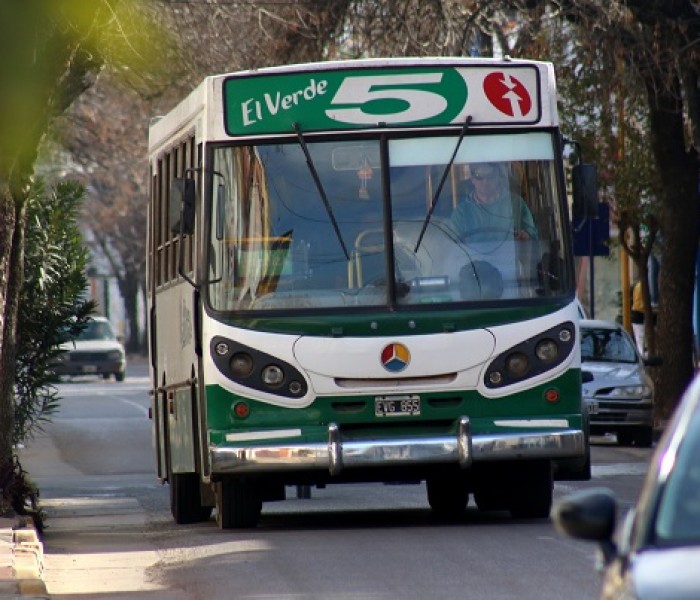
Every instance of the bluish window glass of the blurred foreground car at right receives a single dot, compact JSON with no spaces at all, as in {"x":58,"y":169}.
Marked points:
{"x":678,"y":517}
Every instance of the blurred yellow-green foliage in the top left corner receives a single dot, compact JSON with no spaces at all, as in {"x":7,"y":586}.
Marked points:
{"x":50,"y":52}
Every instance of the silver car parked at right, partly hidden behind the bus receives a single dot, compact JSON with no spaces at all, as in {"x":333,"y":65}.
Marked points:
{"x":618,"y":392}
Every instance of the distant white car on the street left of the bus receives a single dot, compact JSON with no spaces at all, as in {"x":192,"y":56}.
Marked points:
{"x":96,"y":351}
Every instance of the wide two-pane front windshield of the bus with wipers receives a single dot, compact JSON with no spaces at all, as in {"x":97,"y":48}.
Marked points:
{"x":349,"y":226}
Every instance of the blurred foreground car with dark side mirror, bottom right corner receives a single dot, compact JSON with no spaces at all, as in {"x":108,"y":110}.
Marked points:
{"x":655,"y":552}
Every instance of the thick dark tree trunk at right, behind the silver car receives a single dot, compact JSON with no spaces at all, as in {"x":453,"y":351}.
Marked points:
{"x":679,"y":243}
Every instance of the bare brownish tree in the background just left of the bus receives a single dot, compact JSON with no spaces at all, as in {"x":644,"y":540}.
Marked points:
{"x":105,"y":133}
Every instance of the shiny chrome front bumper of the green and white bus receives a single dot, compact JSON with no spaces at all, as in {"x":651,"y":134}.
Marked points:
{"x":338,"y":454}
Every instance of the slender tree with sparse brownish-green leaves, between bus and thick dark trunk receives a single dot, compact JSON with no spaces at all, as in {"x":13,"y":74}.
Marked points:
{"x":604,"y":108}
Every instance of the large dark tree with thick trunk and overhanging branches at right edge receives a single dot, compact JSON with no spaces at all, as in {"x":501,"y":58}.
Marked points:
{"x":656,"y":43}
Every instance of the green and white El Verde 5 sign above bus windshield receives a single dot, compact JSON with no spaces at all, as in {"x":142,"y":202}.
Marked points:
{"x":361,"y":98}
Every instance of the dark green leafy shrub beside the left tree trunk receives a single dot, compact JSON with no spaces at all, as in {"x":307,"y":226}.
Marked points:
{"x":53,"y":308}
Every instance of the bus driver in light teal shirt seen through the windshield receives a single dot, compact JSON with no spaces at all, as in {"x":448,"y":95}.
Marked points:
{"x":490,"y":211}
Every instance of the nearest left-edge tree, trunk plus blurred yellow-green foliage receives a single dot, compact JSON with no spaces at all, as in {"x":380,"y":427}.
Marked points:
{"x":50,"y":53}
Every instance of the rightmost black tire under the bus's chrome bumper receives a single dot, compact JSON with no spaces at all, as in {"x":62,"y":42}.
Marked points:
{"x":531,"y":495}
